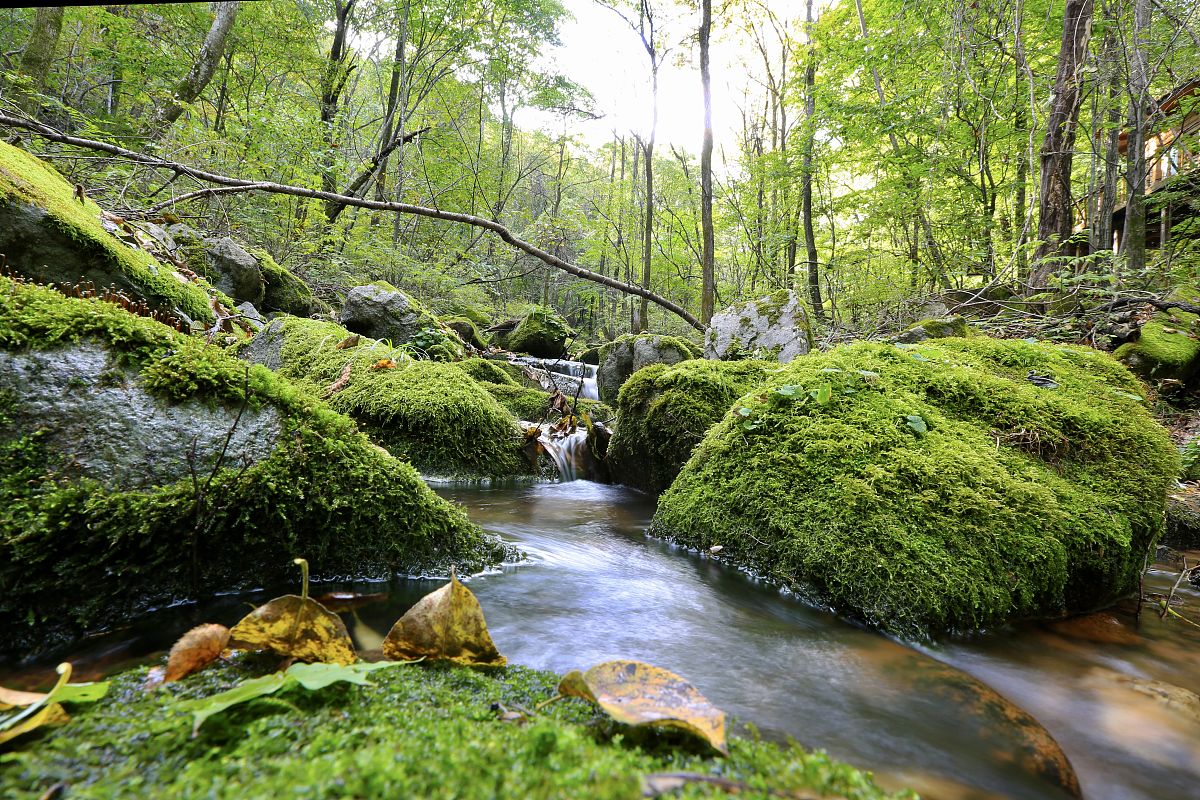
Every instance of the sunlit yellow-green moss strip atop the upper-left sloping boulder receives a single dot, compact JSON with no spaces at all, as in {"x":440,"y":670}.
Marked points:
{"x":27,"y":179}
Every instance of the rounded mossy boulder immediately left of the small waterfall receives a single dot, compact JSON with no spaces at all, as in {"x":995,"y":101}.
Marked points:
{"x":441,"y":419}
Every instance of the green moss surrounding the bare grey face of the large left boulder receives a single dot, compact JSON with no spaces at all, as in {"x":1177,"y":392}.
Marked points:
{"x":76,"y":557}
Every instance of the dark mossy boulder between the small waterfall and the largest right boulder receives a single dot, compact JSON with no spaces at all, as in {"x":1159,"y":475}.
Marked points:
{"x":664,"y":412}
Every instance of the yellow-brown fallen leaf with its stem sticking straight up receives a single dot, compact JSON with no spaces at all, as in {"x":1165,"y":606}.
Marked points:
{"x":296,"y":627}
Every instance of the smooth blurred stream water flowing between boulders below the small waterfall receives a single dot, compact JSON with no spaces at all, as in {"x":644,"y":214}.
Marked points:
{"x":597,"y":588}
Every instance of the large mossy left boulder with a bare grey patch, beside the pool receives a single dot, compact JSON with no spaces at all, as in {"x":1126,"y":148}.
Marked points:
{"x":91,"y":536}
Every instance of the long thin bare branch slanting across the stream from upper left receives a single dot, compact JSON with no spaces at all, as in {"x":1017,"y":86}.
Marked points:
{"x":506,"y":236}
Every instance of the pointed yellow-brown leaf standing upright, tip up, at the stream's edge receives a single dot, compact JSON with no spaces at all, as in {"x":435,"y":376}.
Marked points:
{"x":445,"y":625}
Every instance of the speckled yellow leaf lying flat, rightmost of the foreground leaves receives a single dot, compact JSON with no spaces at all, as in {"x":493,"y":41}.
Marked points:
{"x":639,"y":694}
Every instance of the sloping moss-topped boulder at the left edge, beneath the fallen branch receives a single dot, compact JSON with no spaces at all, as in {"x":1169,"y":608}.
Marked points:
{"x":50,"y":237}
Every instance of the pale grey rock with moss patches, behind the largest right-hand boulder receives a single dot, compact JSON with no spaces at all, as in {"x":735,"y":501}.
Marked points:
{"x":776,"y":327}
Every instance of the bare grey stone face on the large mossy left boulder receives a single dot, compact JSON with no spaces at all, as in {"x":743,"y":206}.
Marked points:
{"x":107,"y":428}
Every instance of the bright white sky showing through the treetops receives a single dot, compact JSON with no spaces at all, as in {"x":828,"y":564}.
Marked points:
{"x":602,"y":53}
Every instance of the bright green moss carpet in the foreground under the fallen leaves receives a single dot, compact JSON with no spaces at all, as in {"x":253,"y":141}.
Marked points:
{"x":417,"y":732}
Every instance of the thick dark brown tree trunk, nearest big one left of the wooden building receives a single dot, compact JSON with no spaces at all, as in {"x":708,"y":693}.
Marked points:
{"x":1058,"y":148}
